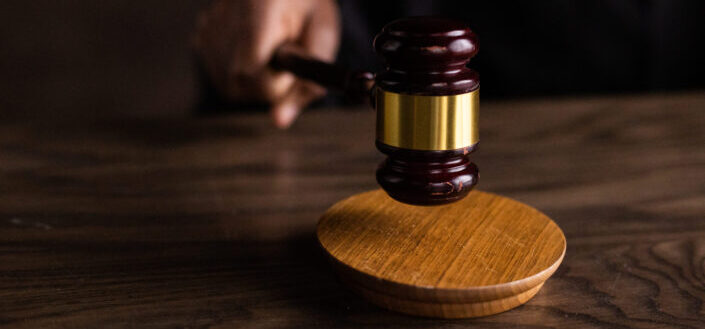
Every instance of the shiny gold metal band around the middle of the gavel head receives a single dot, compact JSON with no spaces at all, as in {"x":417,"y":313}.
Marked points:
{"x":427,"y":122}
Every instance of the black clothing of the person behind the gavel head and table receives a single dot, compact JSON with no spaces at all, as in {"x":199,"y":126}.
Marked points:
{"x":556,"y":47}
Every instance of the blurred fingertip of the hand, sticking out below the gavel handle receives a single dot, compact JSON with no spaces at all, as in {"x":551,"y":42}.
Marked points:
{"x":287,"y":109}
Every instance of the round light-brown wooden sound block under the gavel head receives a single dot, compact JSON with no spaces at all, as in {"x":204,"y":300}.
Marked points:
{"x":479,"y":256}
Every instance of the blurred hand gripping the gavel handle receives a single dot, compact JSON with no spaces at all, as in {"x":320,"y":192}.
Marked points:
{"x":237,"y":38}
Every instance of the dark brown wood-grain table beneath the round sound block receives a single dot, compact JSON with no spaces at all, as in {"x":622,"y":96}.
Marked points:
{"x":184,"y":222}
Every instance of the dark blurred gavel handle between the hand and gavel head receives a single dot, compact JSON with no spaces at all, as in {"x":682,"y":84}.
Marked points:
{"x":355,"y":84}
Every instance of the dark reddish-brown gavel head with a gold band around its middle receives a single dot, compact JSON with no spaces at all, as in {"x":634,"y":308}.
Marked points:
{"x":427,"y":102}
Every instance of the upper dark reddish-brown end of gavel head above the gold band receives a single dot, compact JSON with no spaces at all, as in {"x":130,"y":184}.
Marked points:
{"x":427,"y":56}
